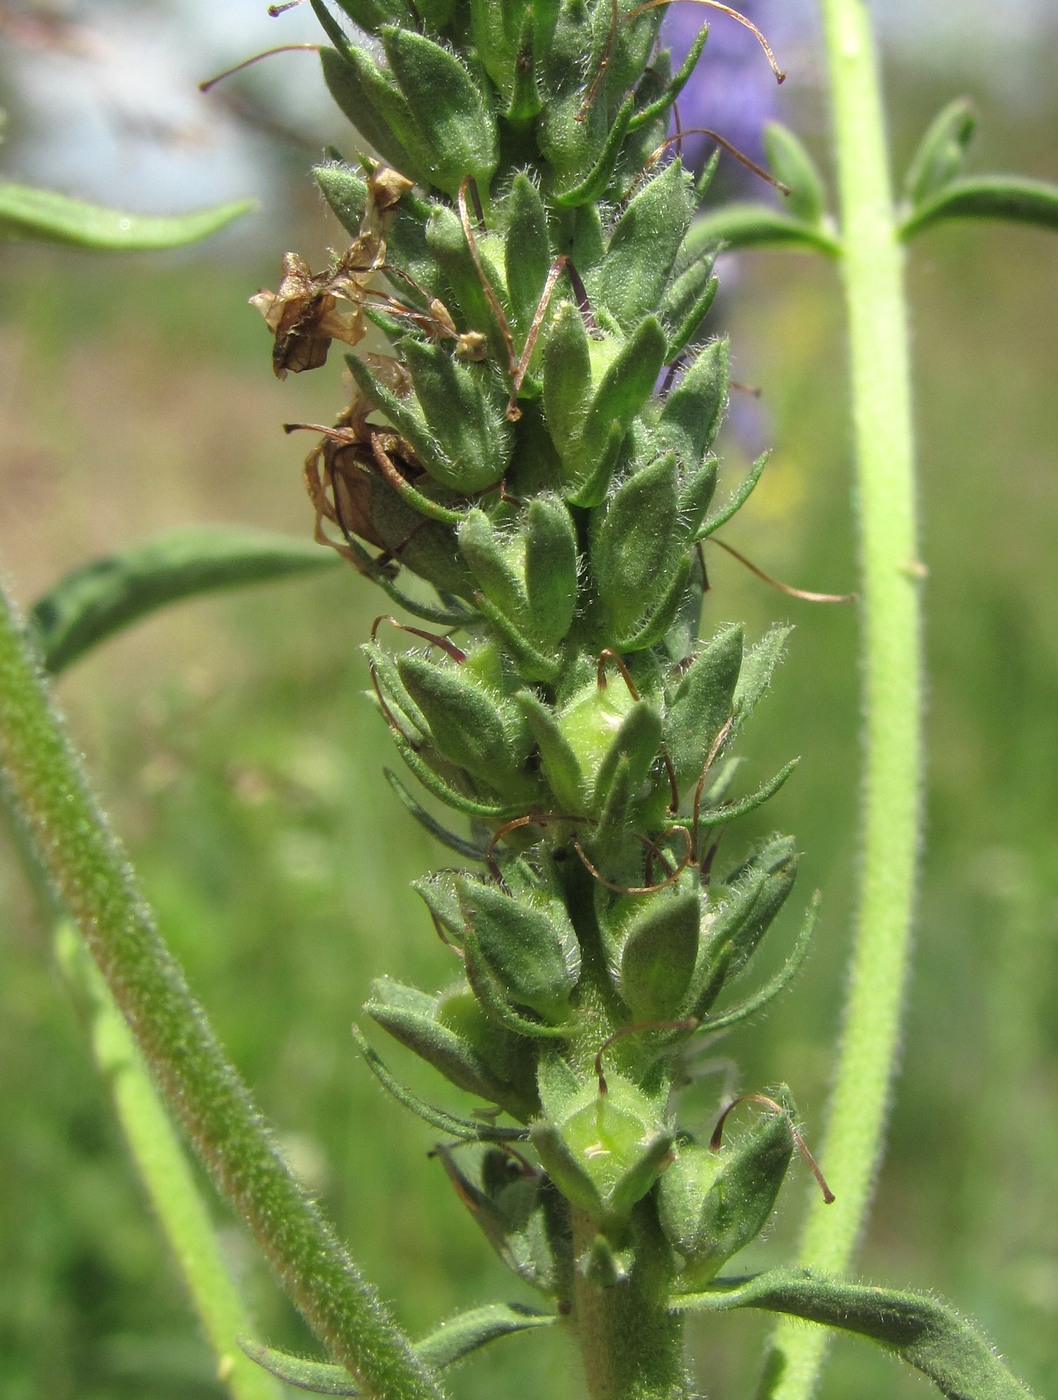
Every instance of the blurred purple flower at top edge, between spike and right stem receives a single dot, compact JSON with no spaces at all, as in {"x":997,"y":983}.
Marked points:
{"x":733,"y":92}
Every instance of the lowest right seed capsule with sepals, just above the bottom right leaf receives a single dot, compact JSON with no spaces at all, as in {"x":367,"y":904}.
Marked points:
{"x":712,"y":1203}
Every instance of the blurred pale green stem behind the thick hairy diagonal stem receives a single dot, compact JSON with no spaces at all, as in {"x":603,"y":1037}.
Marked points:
{"x":169,"y":1179}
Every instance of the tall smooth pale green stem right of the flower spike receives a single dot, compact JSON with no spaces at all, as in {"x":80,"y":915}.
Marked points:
{"x":891,"y":584}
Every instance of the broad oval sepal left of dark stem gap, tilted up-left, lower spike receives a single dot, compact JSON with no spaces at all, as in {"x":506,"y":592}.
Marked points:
{"x":530,"y":948}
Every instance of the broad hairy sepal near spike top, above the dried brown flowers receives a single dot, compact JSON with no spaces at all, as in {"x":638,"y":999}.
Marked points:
{"x":456,"y":125}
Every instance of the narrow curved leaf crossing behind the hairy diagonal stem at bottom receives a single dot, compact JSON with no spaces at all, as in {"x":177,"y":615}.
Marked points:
{"x":450,"y":1343}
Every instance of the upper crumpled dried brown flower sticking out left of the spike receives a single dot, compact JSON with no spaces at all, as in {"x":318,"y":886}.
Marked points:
{"x":304,"y":314}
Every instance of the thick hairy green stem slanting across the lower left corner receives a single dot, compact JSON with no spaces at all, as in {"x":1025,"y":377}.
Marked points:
{"x":93,"y":881}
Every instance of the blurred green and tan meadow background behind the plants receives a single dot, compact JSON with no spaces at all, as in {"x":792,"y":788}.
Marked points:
{"x":241,"y":764}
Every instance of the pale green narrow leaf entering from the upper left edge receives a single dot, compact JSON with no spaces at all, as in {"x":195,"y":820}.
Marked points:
{"x":43,"y":216}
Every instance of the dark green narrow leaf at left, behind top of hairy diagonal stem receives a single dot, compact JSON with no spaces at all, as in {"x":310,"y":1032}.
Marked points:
{"x":97,"y":600}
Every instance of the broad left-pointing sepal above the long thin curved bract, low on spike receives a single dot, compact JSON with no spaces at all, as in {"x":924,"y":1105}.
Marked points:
{"x":414,"y":1018}
